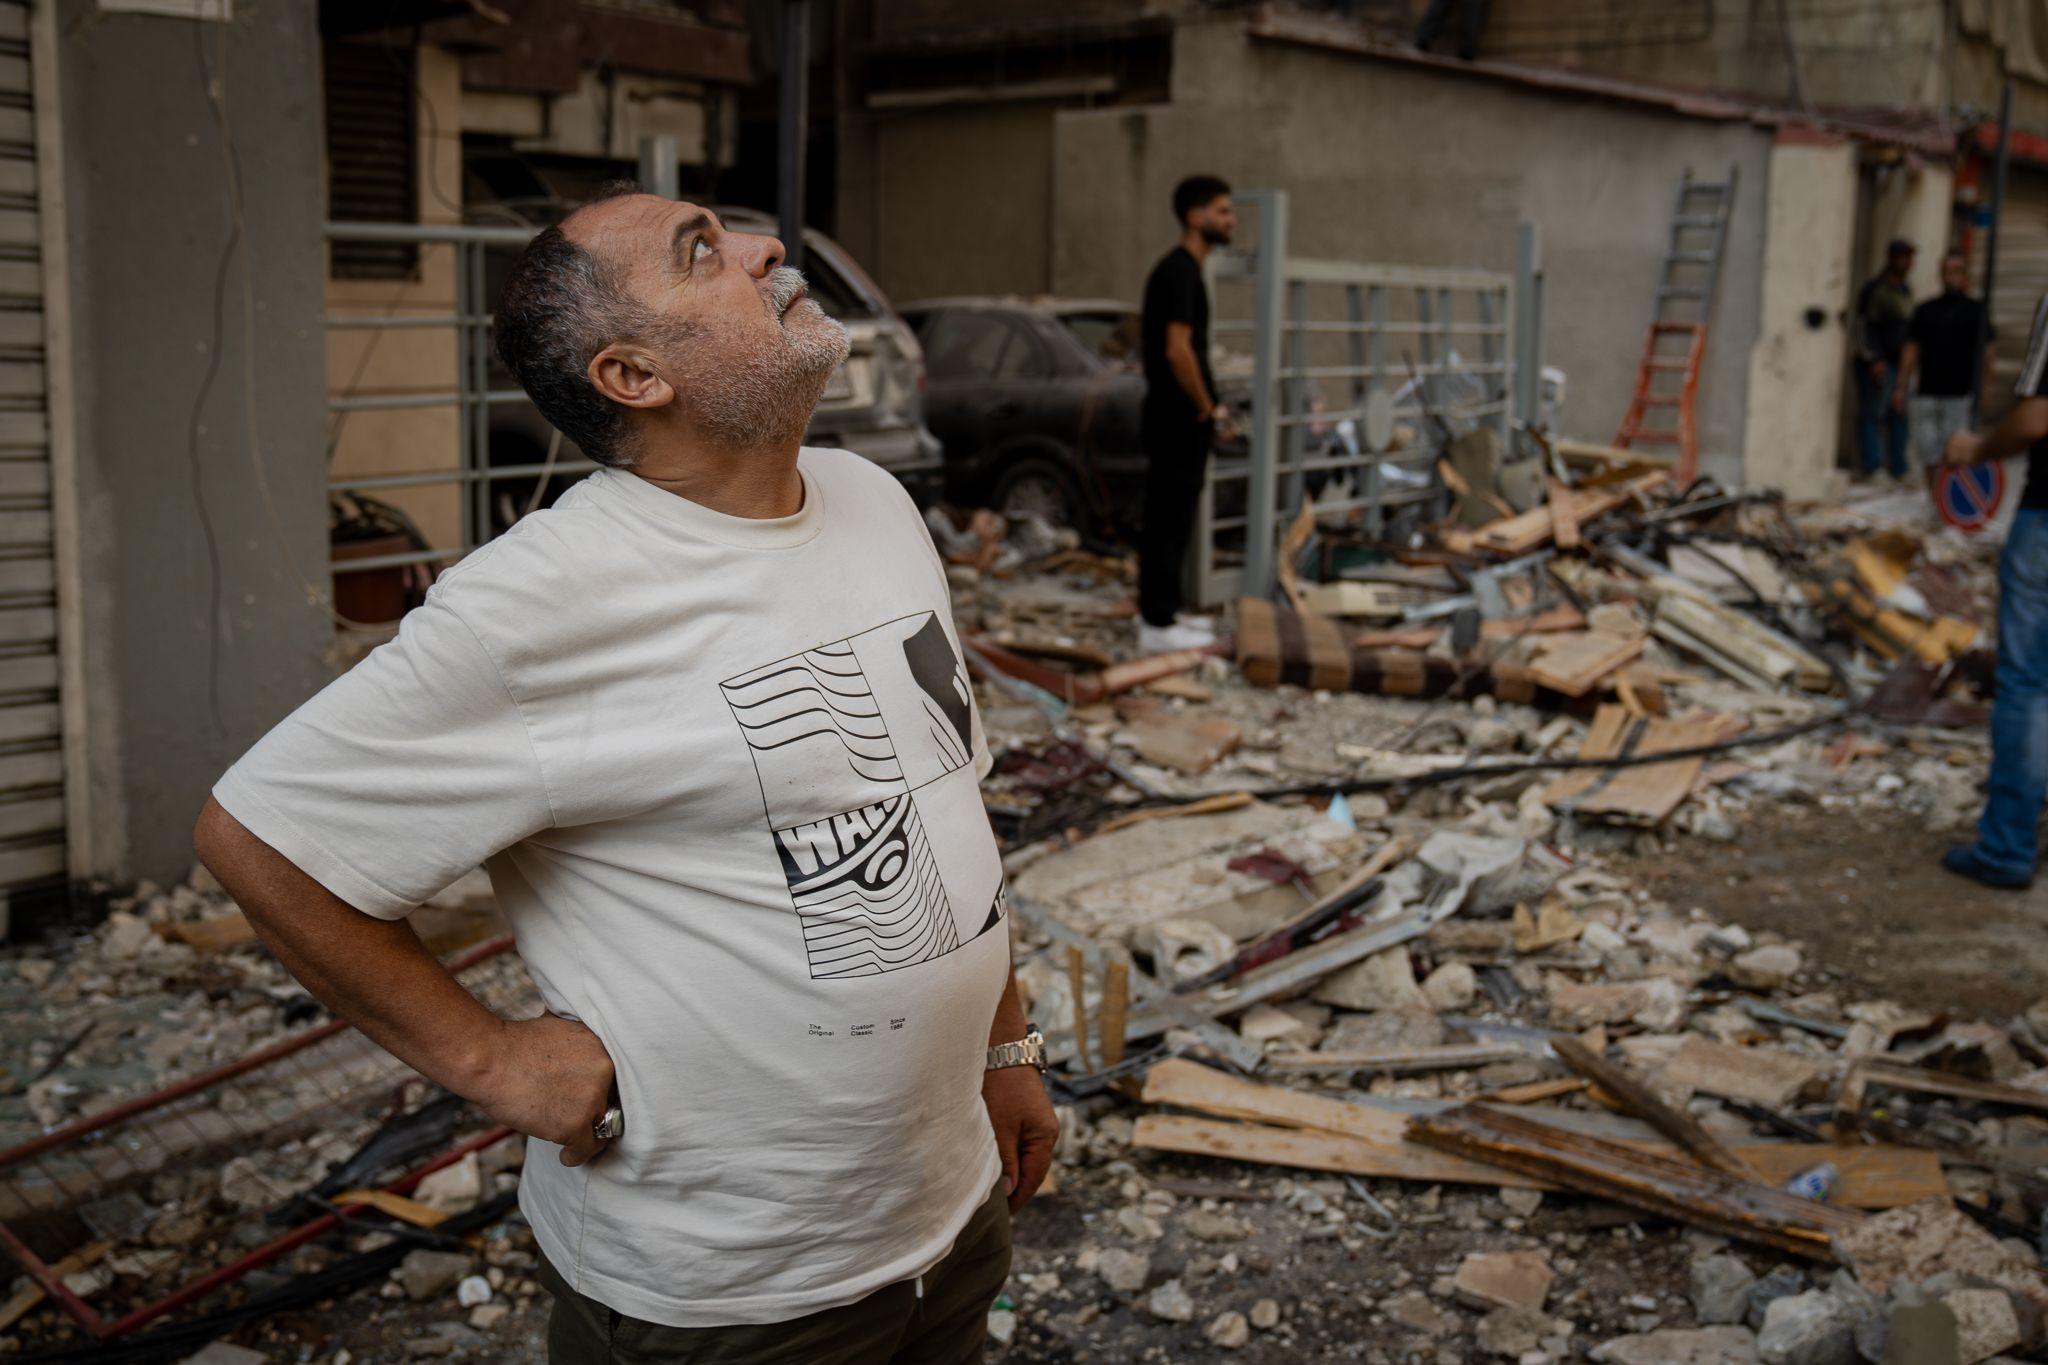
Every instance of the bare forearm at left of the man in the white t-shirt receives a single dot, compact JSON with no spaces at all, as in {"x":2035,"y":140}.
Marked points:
{"x":370,"y":971}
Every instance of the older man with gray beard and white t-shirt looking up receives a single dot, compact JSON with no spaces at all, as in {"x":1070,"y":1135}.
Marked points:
{"x":708,"y":725}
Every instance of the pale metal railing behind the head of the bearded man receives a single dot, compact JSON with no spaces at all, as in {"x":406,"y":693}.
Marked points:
{"x":472,"y":398}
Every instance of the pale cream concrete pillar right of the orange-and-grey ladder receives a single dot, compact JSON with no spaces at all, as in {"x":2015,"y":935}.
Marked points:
{"x":1799,"y":361}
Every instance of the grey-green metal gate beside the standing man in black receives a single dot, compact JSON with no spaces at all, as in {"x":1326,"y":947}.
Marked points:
{"x":1351,"y":371}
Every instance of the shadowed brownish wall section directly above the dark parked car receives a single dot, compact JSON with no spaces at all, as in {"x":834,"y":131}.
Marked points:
{"x":947,"y":202}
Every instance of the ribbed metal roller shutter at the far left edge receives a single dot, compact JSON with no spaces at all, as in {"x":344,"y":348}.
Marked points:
{"x":32,"y":732}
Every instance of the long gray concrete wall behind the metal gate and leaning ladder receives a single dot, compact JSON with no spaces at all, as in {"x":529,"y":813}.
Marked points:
{"x":1390,"y":163}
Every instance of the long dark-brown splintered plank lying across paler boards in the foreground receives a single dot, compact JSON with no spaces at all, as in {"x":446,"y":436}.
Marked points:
{"x":1678,"y":1190}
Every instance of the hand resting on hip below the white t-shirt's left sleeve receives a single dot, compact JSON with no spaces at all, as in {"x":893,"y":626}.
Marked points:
{"x":552,"y":1080}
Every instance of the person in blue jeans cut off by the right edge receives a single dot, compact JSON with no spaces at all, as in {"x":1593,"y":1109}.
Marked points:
{"x":2008,"y":834}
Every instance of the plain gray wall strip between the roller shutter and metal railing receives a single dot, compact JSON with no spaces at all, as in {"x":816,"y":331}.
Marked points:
{"x":187,"y":666}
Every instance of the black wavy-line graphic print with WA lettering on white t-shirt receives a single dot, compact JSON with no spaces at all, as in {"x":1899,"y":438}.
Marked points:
{"x":845,"y":738}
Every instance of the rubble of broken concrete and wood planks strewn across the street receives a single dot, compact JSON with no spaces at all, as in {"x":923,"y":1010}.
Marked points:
{"x":1367,"y":1043}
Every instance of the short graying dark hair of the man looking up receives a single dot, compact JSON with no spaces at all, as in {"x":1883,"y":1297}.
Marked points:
{"x":560,"y":308}
